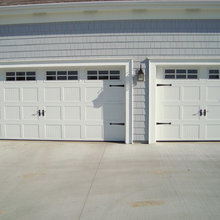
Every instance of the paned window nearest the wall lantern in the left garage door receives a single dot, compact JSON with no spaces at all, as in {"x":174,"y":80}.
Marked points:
{"x":103,"y":75}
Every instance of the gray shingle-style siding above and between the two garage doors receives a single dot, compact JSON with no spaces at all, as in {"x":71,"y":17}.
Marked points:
{"x":114,"y":39}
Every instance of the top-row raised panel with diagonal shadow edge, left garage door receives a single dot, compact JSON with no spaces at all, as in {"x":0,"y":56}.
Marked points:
{"x":94,"y":94}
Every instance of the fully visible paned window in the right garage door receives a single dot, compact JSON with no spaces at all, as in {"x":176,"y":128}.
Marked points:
{"x":181,"y":74}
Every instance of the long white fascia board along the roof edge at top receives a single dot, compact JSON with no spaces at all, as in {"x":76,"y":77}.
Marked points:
{"x":106,"y":6}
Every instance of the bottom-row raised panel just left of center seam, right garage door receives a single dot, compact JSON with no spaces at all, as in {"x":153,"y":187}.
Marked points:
{"x":191,"y":132}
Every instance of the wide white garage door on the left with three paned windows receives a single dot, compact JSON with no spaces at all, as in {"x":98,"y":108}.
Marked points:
{"x":63,"y":104}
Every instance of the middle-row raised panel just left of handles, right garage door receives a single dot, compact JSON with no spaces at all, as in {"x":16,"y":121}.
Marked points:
{"x":190,"y":112}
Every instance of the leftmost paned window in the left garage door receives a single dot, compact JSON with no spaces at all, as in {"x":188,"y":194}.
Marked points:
{"x":20,"y":76}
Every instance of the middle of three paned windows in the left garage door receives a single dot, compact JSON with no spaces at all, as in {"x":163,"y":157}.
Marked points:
{"x":62,"y":75}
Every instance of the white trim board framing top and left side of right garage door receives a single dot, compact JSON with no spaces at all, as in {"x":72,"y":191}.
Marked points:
{"x":153,"y":64}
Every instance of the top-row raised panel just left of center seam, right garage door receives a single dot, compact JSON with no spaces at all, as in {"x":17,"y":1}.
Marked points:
{"x":191,"y":93}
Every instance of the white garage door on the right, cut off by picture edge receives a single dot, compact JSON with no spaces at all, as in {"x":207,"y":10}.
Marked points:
{"x":188,"y":104}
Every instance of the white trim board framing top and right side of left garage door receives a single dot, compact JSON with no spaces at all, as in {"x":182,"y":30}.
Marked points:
{"x":126,"y":63}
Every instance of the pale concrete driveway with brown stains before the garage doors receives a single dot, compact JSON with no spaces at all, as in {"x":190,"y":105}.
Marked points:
{"x":103,"y":181}
